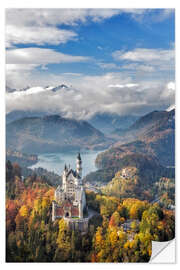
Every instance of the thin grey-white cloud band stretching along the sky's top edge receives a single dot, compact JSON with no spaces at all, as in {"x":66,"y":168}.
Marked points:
{"x":61,"y":16}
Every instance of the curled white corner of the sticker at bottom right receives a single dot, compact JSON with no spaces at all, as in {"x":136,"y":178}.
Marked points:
{"x":163,"y":252}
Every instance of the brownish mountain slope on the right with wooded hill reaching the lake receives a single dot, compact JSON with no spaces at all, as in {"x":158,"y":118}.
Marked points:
{"x":151,"y":149}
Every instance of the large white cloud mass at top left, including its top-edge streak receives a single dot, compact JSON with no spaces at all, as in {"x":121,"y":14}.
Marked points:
{"x":46,"y":26}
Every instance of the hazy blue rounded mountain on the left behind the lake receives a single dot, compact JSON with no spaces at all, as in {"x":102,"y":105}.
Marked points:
{"x":52,"y":134}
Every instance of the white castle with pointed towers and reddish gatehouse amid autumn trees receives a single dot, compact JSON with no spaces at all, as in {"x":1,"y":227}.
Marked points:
{"x":70,"y":200}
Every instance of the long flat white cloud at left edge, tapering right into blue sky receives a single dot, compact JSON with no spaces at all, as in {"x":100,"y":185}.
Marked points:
{"x":40,"y":56}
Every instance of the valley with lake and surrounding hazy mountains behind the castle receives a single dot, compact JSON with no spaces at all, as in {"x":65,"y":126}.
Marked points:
{"x":56,"y":140}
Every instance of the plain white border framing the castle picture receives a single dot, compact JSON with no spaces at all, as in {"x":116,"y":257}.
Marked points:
{"x":76,"y":4}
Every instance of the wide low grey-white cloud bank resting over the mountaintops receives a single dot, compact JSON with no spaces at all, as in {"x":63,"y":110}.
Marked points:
{"x":111,"y":92}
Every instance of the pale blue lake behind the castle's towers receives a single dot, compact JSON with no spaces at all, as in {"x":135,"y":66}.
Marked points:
{"x":55,"y":161}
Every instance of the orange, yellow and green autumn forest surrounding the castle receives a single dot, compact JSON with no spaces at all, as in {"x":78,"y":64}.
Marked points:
{"x":121,"y":231}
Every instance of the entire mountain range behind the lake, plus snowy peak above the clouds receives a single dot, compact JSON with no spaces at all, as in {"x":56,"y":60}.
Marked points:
{"x":151,"y":135}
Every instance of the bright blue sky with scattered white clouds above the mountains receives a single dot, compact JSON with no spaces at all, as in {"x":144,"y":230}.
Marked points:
{"x":94,"y":50}
